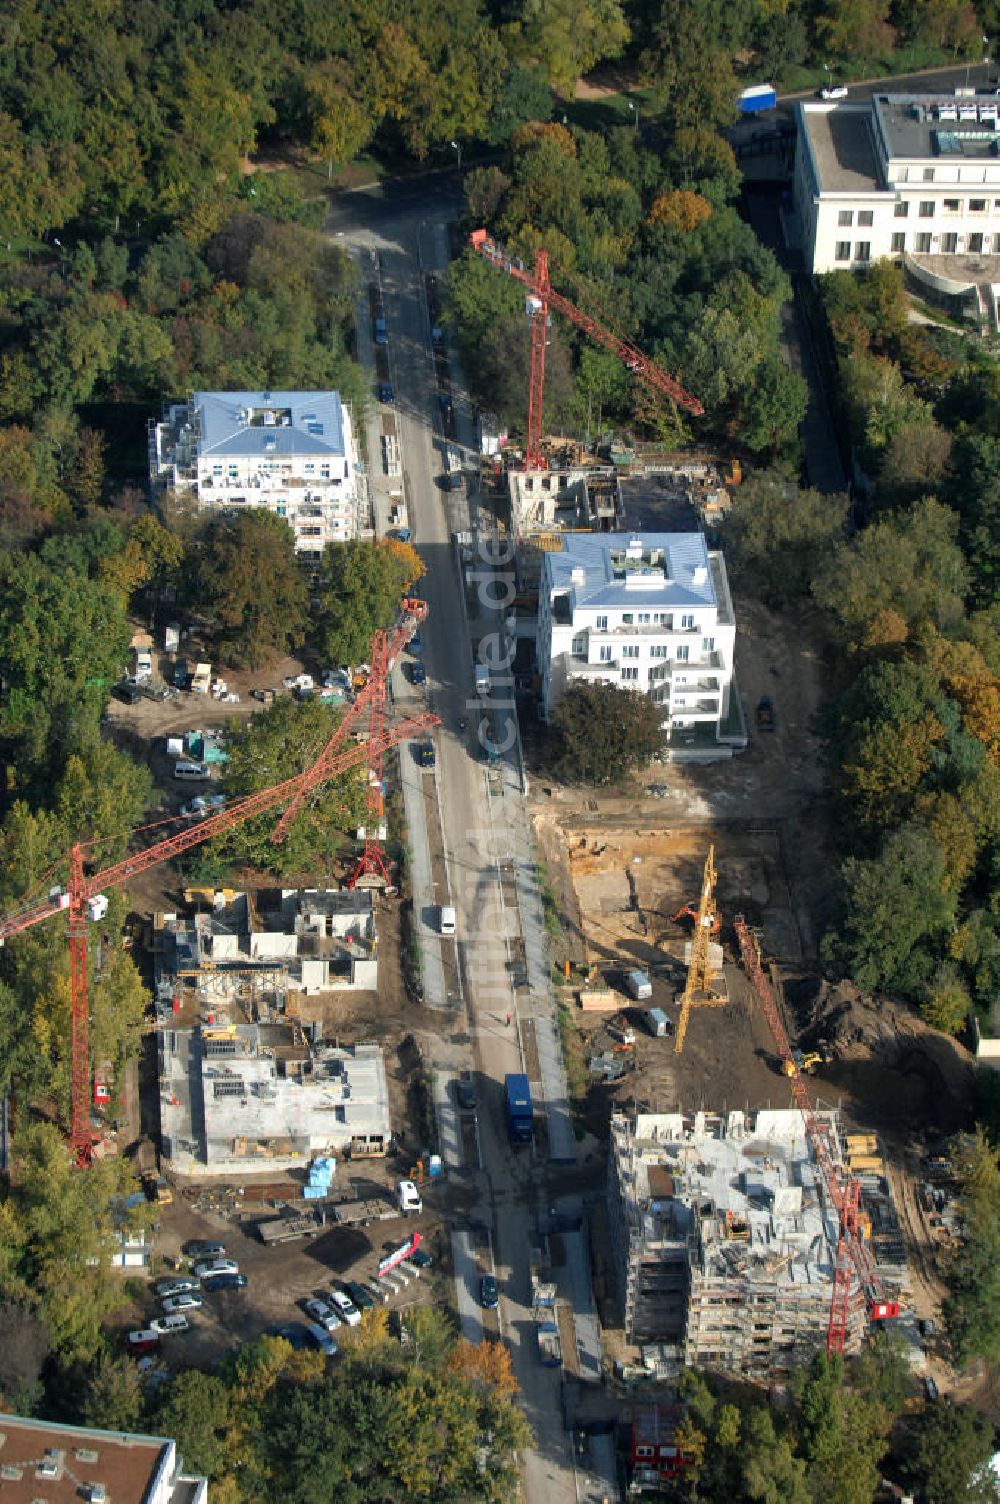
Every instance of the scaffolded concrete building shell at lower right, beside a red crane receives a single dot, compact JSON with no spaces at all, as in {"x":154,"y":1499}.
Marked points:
{"x":726,"y":1240}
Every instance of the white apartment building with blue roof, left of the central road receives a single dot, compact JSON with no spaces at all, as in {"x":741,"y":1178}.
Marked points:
{"x":291,"y":452}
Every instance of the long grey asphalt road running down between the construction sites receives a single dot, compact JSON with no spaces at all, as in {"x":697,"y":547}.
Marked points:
{"x":408,"y":232}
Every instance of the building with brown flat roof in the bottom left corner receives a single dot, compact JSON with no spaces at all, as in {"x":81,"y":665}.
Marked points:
{"x":64,"y":1464}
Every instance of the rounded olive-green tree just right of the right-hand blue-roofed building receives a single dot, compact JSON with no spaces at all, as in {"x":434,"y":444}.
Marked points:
{"x":781,"y":535}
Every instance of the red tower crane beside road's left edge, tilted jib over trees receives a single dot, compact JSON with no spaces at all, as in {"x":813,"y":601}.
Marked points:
{"x":386,"y":650}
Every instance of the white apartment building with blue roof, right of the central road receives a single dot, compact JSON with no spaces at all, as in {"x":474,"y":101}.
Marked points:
{"x":650,"y":611}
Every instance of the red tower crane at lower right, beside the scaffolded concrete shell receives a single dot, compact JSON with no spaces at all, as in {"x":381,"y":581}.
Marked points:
{"x":853,"y":1255}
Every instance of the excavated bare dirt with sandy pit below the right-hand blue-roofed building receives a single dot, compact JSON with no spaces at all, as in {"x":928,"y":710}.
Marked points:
{"x":622,"y":864}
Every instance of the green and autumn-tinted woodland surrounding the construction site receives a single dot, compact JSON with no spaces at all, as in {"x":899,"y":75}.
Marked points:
{"x":150,"y":249}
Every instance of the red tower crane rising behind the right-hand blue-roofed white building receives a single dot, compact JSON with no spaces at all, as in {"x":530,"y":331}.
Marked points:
{"x":545,"y":299}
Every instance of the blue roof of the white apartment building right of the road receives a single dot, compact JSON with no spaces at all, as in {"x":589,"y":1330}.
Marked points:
{"x":686,"y":580}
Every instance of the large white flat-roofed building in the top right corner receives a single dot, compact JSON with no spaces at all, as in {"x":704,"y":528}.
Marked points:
{"x":915,"y":178}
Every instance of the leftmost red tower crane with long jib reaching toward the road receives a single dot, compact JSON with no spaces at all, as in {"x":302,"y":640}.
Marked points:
{"x":83,"y":891}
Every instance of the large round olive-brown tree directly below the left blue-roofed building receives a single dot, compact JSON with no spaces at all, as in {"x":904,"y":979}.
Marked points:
{"x":250,"y":587}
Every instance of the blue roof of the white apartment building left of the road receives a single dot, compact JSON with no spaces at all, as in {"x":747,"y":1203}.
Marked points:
{"x":315,"y":423}
